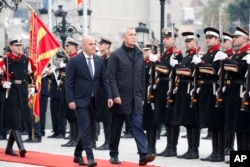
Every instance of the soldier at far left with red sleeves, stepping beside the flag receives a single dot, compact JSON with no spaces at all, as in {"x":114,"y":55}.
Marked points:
{"x":16,"y":68}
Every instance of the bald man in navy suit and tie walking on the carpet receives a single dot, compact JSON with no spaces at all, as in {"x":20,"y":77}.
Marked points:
{"x":85,"y":74}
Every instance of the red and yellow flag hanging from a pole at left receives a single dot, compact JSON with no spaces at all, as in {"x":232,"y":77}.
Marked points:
{"x":43,"y":46}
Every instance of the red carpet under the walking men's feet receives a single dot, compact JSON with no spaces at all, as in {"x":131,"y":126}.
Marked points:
{"x":53,"y":160}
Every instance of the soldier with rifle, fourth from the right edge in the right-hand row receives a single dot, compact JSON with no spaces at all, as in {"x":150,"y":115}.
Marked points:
{"x":183,"y":115}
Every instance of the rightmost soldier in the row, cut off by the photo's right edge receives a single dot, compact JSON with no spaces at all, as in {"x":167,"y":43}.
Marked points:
{"x":236,"y":67}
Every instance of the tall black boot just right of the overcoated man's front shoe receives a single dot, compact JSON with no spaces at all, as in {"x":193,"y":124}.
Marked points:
{"x":174,"y":141}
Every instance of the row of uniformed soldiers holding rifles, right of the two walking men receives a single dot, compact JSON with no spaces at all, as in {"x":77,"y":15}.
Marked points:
{"x":199,"y":90}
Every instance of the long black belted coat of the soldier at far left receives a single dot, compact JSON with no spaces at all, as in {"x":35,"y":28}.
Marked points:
{"x":15,"y":107}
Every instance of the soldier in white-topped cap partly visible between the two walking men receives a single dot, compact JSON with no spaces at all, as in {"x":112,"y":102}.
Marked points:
{"x":103,"y":113}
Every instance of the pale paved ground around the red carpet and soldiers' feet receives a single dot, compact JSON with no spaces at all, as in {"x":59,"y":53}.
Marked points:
{"x":127,"y":152}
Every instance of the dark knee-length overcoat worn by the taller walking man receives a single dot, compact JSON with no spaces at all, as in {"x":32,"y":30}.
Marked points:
{"x":126,"y":72}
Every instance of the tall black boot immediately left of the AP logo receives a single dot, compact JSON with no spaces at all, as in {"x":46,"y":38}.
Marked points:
{"x":219,"y":156}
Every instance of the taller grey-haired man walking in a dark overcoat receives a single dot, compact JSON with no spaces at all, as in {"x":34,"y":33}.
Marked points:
{"x":126,"y":72}
